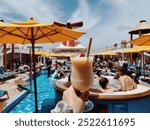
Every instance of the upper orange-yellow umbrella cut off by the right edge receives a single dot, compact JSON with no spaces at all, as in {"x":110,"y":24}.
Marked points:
{"x":141,"y":41}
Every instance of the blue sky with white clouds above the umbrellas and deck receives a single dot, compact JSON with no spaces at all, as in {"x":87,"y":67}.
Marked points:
{"x":106,"y":21}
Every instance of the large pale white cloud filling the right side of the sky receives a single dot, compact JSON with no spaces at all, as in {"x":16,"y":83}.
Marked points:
{"x":125,"y":14}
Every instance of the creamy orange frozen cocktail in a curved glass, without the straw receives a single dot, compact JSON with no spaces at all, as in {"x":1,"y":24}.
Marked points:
{"x":82,"y":72}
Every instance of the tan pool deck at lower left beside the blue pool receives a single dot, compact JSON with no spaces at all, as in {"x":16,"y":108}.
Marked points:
{"x":11,"y":87}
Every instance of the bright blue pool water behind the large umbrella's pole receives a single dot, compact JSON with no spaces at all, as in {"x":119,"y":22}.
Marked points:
{"x":45,"y":90}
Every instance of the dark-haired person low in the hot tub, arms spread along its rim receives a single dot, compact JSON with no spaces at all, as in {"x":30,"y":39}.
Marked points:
{"x":104,"y":87}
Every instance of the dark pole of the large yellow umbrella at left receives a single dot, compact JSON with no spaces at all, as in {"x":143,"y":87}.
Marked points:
{"x":34,"y":70}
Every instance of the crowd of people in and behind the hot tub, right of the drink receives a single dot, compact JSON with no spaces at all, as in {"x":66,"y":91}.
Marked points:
{"x":120,"y":69}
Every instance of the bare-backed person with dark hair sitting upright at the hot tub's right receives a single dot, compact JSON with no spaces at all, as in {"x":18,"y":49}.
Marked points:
{"x":126,"y":81}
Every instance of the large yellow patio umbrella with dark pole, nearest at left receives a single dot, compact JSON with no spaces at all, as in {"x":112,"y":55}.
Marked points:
{"x":32,"y":32}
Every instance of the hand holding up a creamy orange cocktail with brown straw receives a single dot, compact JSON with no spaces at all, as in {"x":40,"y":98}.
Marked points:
{"x":81,"y":80}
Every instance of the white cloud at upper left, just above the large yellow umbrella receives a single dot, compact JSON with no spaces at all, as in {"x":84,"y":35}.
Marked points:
{"x":46,"y":12}
